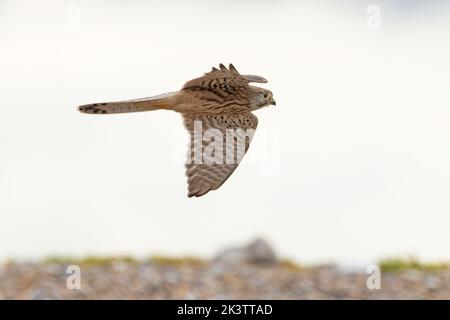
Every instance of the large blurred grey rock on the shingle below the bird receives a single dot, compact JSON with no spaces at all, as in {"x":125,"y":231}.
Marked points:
{"x":256,"y":252}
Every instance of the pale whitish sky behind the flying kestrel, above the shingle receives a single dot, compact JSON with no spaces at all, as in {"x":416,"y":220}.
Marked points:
{"x":352,"y":165}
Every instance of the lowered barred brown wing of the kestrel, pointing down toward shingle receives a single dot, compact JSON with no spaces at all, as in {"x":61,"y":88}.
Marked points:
{"x":217,"y":145}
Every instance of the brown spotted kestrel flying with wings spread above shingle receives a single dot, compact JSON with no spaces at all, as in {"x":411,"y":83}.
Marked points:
{"x":217,"y":112}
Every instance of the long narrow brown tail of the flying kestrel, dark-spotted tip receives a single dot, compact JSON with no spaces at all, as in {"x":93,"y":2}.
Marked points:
{"x":164,"y":101}
